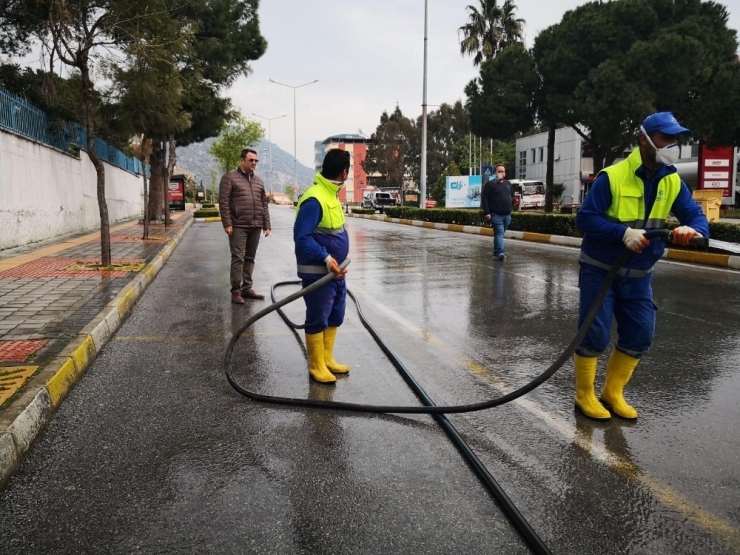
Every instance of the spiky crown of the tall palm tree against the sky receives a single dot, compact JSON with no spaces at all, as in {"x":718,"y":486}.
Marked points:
{"x":490,"y":29}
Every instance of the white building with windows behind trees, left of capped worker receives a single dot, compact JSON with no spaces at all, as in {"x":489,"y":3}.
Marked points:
{"x":567,"y":168}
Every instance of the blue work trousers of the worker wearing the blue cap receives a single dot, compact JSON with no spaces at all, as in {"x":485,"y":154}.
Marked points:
{"x":629,"y":300}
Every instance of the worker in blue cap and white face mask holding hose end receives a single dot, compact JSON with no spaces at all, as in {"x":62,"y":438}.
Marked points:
{"x":626,"y":200}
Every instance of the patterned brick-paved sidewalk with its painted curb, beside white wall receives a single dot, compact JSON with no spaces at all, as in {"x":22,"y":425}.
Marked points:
{"x":57,"y":310}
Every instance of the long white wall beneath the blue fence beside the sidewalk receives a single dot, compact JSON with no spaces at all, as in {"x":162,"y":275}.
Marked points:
{"x":44,"y":193}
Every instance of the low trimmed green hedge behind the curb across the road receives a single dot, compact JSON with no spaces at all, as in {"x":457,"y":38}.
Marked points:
{"x":551,"y":224}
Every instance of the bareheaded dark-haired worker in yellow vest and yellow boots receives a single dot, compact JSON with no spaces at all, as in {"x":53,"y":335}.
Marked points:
{"x":321,"y":244}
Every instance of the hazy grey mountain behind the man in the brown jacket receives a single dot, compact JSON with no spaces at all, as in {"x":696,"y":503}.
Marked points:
{"x":196,"y":158}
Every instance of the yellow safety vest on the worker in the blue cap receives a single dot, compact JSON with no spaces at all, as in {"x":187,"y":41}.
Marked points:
{"x":628,"y":194}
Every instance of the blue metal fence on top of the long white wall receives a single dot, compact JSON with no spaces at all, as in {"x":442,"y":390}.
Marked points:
{"x":22,"y":118}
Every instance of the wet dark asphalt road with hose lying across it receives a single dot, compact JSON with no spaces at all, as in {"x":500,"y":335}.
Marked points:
{"x":153,"y":452}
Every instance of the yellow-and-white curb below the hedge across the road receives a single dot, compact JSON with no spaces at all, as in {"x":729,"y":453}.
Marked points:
{"x":696,"y":257}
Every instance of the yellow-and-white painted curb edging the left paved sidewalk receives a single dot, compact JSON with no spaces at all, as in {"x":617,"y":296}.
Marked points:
{"x":24,"y":420}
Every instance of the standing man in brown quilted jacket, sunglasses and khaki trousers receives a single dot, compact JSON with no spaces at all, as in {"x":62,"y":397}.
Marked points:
{"x":244,"y":214}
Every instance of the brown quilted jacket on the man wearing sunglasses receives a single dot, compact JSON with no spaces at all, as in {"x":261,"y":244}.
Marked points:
{"x":242,"y":201}
